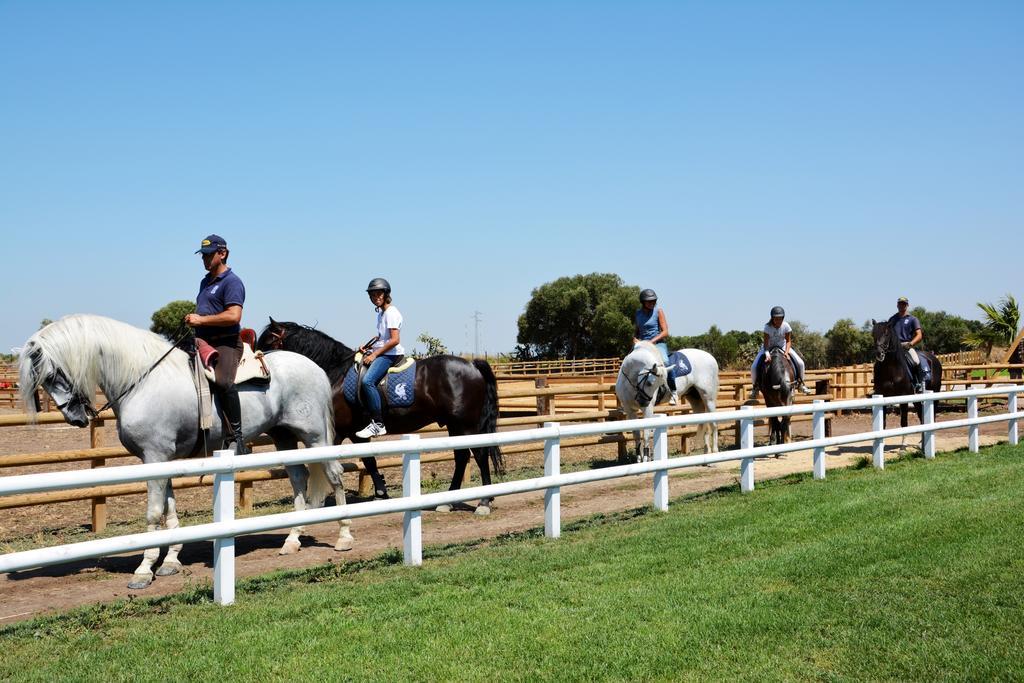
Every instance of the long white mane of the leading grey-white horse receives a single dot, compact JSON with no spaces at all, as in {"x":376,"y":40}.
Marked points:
{"x":92,"y":350}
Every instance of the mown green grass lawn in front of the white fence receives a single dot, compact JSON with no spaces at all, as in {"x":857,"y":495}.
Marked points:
{"x":915,"y":573}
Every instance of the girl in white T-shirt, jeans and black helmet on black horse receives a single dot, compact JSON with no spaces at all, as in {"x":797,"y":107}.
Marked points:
{"x":380,"y":355}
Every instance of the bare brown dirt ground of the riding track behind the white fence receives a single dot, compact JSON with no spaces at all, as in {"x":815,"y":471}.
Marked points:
{"x":27,"y":594}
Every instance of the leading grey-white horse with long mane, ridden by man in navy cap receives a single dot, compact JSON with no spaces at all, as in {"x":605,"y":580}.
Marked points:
{"x":158,"y":412}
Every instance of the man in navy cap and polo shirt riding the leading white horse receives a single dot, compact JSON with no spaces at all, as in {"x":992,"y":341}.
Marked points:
{"x":218,"y":321}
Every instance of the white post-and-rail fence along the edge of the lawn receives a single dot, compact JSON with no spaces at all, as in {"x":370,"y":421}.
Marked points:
{"x":224,"y":465}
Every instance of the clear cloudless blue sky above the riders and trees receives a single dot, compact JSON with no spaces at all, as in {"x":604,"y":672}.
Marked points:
{"x":826,"y":156}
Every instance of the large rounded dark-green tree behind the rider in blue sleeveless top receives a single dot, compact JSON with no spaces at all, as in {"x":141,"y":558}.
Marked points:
{"x":578,"y":317}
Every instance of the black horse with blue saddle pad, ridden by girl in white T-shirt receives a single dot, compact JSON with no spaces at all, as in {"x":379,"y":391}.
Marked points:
{"x":449,"y":391}
